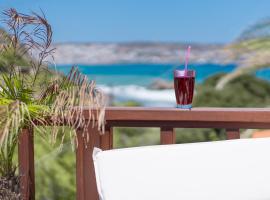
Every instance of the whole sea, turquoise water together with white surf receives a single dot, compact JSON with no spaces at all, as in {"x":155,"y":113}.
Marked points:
{"x":130,"y":82}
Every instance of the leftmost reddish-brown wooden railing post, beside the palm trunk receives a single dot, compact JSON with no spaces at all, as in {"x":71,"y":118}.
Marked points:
{"x":26,"y":164}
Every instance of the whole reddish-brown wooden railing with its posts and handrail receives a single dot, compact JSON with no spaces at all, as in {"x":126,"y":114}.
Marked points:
{"x":232,"y":119}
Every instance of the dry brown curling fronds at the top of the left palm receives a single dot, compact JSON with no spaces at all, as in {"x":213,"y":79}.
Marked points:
{"x":29,"y":35}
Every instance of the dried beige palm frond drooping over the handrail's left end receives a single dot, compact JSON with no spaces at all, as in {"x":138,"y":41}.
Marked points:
{"x":70,"y":98}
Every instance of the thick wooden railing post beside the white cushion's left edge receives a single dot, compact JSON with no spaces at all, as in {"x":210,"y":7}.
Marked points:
{"x":85,"y":173}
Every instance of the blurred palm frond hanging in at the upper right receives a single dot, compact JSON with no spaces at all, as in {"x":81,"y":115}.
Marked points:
{"x":252,"y":49}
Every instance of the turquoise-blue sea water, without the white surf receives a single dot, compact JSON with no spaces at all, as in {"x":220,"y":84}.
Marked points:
{"x":145,"y":74}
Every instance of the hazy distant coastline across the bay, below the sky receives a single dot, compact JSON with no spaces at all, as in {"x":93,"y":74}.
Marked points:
{"x":139,"y":52}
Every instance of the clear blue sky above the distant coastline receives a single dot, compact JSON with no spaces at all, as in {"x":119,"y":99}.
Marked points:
{"x":205,"y":21}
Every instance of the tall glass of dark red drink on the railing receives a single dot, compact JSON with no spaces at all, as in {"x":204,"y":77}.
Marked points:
{"x":184,"y":82}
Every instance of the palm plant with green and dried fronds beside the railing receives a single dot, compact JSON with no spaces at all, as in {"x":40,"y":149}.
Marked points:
{"x":24,"y":102}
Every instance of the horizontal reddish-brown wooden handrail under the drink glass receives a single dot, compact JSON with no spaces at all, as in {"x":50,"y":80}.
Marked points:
{"x":226,"y":115}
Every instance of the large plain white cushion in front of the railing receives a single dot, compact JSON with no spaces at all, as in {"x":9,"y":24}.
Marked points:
{"x":224,"y":170}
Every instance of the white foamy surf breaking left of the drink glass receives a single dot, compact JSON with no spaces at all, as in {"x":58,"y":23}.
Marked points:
{"x":142,"y":95}
